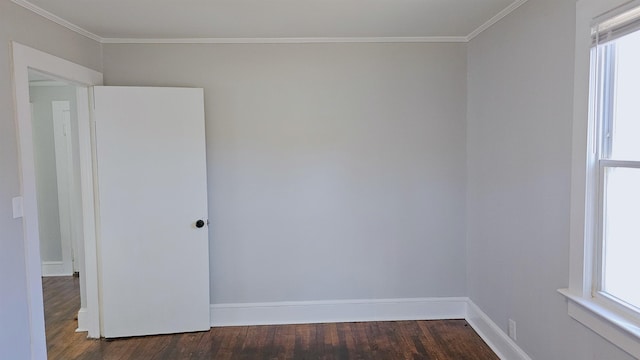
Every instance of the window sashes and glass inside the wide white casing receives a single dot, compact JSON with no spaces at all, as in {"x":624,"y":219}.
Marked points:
{"x":616,"y":111}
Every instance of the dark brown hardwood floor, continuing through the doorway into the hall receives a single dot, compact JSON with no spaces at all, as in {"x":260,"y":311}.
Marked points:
{"x":451,"y":339}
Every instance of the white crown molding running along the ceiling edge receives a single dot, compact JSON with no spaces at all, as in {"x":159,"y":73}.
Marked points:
{"x":418,"y":39}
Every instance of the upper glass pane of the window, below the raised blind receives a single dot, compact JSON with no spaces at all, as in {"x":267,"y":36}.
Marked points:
{"x":626,"y":107}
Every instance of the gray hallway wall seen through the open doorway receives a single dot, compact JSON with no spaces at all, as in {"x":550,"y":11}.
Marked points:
{"x":45,"y":162}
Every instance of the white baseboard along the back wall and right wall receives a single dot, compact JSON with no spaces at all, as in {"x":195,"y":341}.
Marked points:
{"x":313,"y":312}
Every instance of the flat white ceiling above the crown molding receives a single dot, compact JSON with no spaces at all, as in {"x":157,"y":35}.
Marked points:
{"x":171,"y":19}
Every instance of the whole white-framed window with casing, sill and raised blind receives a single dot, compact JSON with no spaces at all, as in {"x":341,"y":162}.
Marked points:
{"x":604,"y":290}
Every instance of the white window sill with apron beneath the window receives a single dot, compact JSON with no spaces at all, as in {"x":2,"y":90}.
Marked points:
{"x":605,"y":322}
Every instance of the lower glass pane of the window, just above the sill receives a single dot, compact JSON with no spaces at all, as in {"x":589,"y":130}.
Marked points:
{"x":621,"y":252}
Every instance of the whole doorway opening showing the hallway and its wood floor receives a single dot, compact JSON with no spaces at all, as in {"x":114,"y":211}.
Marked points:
{"x":54,"y":120}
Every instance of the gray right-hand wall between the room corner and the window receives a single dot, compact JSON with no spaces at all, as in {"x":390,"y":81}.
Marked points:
{"x":520,"y":106}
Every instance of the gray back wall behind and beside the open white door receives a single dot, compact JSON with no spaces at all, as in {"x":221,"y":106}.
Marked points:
{"x":335,"y":170}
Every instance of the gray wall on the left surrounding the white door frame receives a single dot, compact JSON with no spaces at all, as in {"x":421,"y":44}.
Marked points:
{"x":23,"y":26}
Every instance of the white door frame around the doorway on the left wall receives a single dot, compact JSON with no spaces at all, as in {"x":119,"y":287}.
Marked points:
{"x":25,"y":58}
